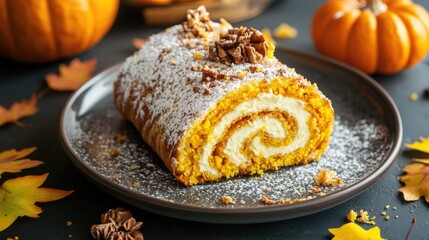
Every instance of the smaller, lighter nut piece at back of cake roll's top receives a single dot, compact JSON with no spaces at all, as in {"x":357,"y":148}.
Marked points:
{"x":198,"y":22}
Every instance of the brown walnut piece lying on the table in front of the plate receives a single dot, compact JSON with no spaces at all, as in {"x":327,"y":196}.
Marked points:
{"x":117,"y":224}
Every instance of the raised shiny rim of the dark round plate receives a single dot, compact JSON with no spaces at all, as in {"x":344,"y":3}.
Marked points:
{"x":217,"y":215}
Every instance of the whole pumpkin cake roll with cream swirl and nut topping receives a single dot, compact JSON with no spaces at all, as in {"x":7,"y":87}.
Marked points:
{"x":213,"y":102}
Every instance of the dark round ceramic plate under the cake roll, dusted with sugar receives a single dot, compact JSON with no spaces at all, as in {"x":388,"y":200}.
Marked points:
{"x":364,"y":143}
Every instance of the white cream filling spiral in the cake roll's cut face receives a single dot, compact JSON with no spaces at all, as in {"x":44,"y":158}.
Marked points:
{"x":272,"y":126}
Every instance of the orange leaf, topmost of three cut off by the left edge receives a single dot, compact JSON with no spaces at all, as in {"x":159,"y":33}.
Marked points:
{"x":18,"y":110}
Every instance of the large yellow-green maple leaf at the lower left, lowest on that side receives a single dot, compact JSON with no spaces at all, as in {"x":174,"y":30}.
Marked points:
{"x":18,"y":195}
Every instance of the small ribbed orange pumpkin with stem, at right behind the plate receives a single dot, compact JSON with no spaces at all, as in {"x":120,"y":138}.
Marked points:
{"x":375,"y":36}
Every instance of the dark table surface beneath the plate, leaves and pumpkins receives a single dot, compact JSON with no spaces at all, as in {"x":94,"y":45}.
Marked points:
{"x":84,"y":206}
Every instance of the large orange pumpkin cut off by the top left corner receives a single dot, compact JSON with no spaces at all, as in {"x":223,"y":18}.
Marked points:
{"x":44,"y":30}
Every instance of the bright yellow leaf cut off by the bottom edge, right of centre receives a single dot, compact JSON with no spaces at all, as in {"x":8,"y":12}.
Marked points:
{"x":353,"y":231}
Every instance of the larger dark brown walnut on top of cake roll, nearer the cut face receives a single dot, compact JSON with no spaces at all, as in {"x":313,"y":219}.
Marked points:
{"x":239,"y":45}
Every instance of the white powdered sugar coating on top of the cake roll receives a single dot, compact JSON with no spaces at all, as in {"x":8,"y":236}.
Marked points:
{"x":168,"y":66}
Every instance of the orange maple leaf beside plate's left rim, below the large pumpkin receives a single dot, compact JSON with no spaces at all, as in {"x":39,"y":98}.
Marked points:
{"x":73,"y":76}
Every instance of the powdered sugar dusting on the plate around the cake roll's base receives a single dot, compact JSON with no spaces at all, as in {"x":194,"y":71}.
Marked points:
{"x":356,"y":149}
